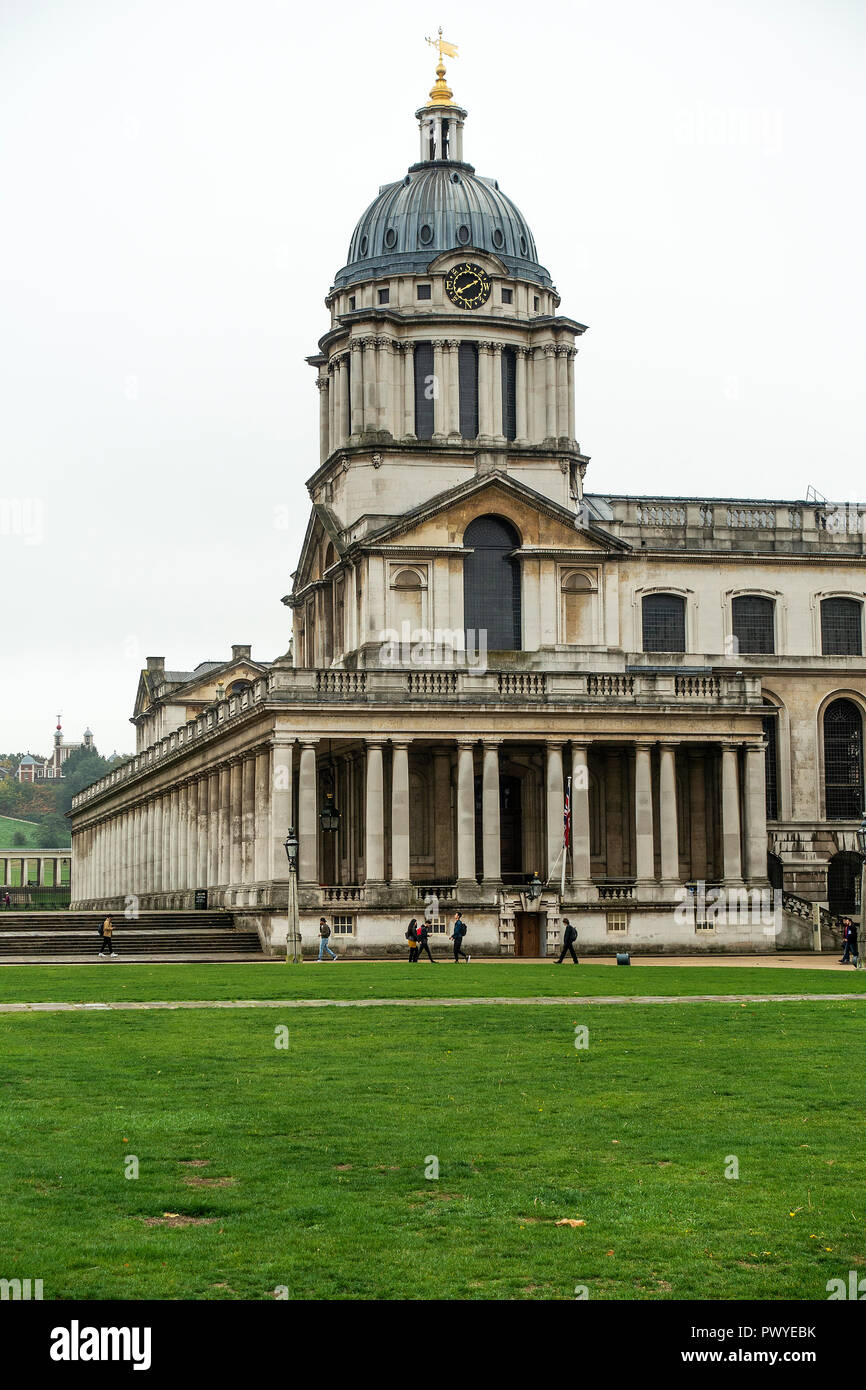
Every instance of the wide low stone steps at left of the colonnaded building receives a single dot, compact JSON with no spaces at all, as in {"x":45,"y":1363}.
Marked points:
{"x":154,"y":936}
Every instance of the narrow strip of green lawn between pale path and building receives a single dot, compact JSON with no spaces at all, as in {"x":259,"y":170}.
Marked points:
{"x":397,"y":981}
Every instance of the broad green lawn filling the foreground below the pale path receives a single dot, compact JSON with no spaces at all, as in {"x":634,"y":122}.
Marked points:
{"x":307,"y":1167}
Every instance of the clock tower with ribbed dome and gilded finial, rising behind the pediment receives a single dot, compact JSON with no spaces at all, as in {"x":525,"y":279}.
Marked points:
{"x":447,"y":362}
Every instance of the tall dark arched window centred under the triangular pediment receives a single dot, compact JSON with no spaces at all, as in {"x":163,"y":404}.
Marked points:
{"x":491,"y":584}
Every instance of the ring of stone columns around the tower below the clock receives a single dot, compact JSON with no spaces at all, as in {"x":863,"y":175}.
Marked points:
{"x":372,"y":387}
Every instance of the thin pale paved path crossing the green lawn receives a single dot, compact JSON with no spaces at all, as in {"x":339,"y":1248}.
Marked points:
{"x":573,"y":1000}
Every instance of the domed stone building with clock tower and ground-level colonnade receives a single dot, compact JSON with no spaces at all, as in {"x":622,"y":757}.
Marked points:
{"x":475,"y":633}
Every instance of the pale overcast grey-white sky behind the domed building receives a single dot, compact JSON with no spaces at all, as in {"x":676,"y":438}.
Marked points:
{"x":180,"y":184}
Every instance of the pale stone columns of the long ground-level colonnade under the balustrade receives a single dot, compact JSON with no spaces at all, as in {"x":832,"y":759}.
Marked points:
{"x":226,"y":826}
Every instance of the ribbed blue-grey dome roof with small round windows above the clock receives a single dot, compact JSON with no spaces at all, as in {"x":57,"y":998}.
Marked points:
{"x":440,"y":208}
